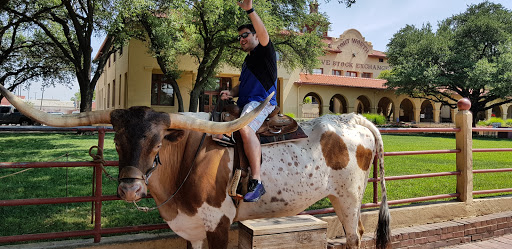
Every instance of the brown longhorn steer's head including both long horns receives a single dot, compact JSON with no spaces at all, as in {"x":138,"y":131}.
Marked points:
{"x":139,"y":135}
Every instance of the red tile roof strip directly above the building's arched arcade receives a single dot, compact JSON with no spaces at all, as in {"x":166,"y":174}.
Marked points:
{"x":333,"y":80}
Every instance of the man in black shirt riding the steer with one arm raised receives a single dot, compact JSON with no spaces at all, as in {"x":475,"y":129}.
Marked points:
{"x":258,"y":79}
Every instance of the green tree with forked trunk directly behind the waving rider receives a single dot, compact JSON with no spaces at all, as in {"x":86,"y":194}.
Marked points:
{"x":207,"y":30}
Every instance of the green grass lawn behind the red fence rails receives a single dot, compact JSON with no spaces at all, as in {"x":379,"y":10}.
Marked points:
{"x":61,"y":182}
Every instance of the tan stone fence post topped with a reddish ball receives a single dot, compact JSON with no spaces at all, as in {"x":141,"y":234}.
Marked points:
{"x":464,"y":143}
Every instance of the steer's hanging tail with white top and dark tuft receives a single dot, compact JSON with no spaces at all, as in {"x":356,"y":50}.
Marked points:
{"x":383,"y":237}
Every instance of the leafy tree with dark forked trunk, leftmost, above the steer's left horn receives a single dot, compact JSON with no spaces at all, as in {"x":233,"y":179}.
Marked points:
{"x":67,"y":27}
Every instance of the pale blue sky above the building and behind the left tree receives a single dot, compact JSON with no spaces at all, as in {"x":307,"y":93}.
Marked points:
{"x":377,"y":20}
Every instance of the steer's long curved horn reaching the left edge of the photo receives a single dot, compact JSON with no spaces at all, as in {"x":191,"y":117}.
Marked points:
{"x":82,"y":119}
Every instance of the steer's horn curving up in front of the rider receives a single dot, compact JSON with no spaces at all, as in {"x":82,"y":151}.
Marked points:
{"x":179,"y":121}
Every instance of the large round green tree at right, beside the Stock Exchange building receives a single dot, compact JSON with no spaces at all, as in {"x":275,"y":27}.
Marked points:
{"x":469,"y":55}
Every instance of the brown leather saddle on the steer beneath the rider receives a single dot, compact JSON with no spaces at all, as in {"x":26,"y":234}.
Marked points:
{"x":276,"y":128}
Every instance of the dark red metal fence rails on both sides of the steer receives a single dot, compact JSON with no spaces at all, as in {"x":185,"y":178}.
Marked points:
{"x":98,"y":198}
